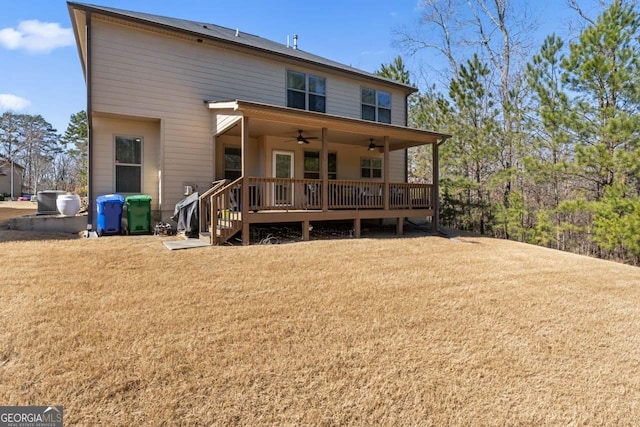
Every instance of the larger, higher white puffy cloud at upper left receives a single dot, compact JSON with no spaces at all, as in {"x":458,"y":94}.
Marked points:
{"x":36,"y":37}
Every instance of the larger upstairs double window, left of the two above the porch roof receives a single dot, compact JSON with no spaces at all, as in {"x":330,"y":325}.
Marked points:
{"x":306,"y":91}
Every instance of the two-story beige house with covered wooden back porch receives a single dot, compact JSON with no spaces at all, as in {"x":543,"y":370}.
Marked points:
{"x":174,"y":104}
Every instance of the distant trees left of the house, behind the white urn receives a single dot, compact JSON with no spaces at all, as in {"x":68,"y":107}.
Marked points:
{"x":51,"y":161}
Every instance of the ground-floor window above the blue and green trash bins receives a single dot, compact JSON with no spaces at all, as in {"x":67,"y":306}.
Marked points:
{"x":128,"y":164}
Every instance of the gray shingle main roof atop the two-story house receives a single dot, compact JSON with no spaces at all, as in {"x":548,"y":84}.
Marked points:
{"x":216,"y":32}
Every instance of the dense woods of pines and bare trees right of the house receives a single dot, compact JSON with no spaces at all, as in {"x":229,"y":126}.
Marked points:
{"x":545,"y":144}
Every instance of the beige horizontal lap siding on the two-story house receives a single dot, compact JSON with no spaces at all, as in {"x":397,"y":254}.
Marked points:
{"x":142,"y":72}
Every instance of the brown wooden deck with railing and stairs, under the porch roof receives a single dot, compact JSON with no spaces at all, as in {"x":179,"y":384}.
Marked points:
{"x":280,"y":200}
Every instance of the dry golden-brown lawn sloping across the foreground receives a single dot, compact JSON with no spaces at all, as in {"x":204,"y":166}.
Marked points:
{"x":411,"y":331}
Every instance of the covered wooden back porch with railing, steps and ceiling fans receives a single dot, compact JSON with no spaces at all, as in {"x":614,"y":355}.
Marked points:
{"x":269,"y":189}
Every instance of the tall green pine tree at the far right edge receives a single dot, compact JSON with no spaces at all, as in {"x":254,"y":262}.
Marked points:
{"x":602,"y":69}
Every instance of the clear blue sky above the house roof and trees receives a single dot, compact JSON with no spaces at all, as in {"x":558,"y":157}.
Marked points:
{"x":40,"y":72}
